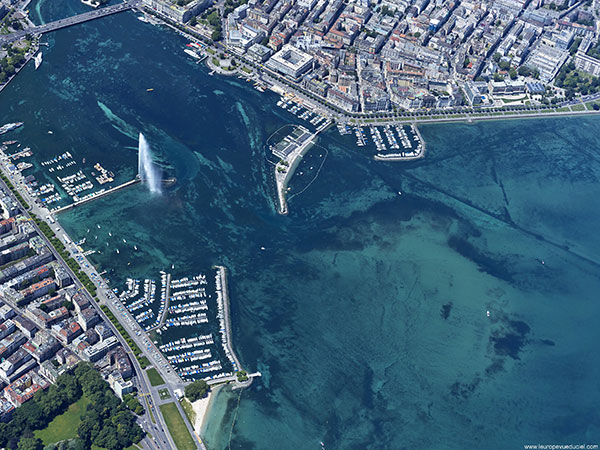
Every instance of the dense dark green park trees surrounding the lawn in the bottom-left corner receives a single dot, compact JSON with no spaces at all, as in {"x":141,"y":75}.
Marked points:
{"x":106,"y":423}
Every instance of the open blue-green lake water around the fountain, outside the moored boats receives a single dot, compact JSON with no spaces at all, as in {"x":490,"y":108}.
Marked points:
{"x":366,"y":312}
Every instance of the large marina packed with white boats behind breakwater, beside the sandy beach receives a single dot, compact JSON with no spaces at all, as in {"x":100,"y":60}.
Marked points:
{"x":187,"y":321}
